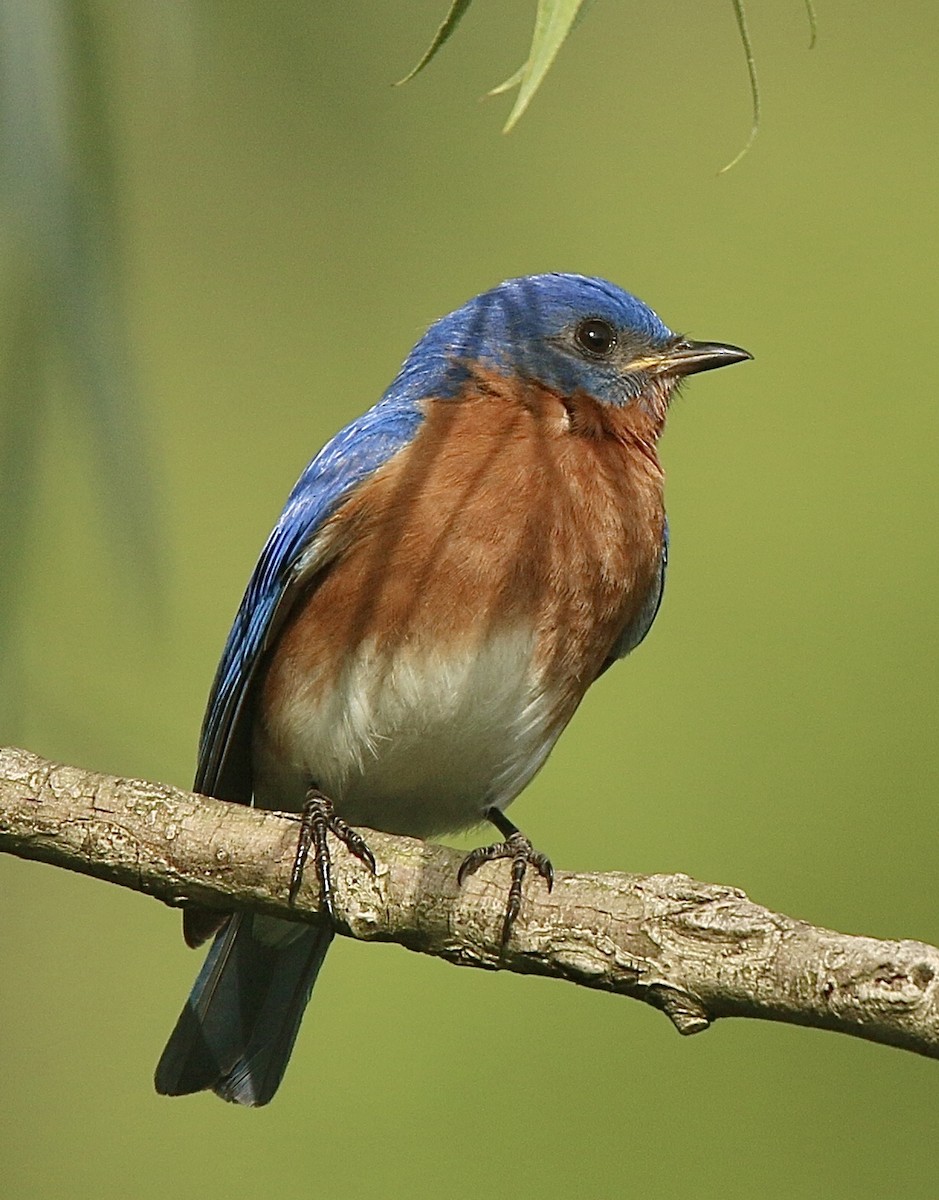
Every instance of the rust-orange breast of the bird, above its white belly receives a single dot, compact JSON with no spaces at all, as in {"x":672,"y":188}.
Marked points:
{"x":513,"y":508}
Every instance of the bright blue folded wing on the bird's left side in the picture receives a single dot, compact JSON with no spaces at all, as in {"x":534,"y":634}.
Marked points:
{"x":290,"y":559}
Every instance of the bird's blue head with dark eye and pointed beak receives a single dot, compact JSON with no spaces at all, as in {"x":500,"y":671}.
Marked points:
{"x":569,"y":333}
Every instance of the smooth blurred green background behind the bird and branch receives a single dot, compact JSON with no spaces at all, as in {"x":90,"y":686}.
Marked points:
{"x":289,"y":227}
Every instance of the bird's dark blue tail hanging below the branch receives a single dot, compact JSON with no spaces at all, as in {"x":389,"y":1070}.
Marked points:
{"x":241,"y":1022}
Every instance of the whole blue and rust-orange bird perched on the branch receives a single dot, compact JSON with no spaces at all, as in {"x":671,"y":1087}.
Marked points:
{"x":450,"y":575}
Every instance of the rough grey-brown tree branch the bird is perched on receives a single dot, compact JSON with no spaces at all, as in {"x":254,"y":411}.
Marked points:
{"x":696,"y":951}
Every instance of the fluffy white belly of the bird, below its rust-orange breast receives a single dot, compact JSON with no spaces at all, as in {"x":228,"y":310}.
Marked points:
{"x":416,"y":745}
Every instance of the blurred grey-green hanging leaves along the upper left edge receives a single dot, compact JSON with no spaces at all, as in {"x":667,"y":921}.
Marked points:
{"x":62,"y":266}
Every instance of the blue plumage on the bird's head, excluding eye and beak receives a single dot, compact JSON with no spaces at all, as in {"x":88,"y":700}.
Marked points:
{"x":525,"y":327}
